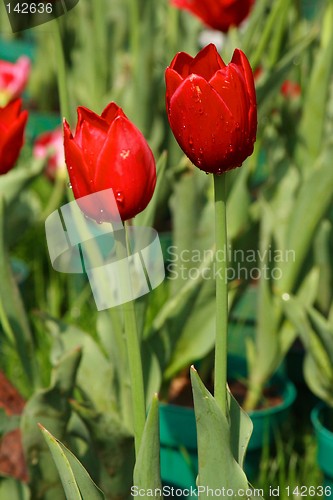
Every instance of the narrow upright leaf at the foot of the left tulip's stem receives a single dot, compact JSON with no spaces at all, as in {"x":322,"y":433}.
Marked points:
{"x":147,"y":467}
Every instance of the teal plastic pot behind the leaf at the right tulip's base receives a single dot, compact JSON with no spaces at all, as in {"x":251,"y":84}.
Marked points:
{"x":179,"y":462}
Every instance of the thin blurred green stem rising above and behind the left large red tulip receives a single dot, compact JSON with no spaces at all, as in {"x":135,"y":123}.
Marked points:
{"x":61,"y":70}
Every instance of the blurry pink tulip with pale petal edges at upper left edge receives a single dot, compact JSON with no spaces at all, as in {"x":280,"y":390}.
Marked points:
{"x":13,"y":79}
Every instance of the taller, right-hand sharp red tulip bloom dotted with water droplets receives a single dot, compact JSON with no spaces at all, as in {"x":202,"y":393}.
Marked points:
{"x":212,"y":108}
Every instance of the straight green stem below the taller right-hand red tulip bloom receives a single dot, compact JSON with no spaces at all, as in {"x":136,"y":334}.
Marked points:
{"x":220,"y":377}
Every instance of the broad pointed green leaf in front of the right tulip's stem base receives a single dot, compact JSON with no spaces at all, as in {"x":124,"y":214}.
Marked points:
{"x":217,"y":464}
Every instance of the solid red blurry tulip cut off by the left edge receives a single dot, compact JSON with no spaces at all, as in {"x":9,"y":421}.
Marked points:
{"x":12,"y":124}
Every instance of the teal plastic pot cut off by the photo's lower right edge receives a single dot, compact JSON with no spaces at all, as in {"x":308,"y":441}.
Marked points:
{"x":325,"y":446}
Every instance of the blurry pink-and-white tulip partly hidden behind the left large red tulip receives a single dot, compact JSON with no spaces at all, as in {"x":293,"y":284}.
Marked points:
{"x":51,"y":144}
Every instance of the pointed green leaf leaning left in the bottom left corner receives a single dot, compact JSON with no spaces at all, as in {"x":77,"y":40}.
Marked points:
{"x":75,"y":479}
